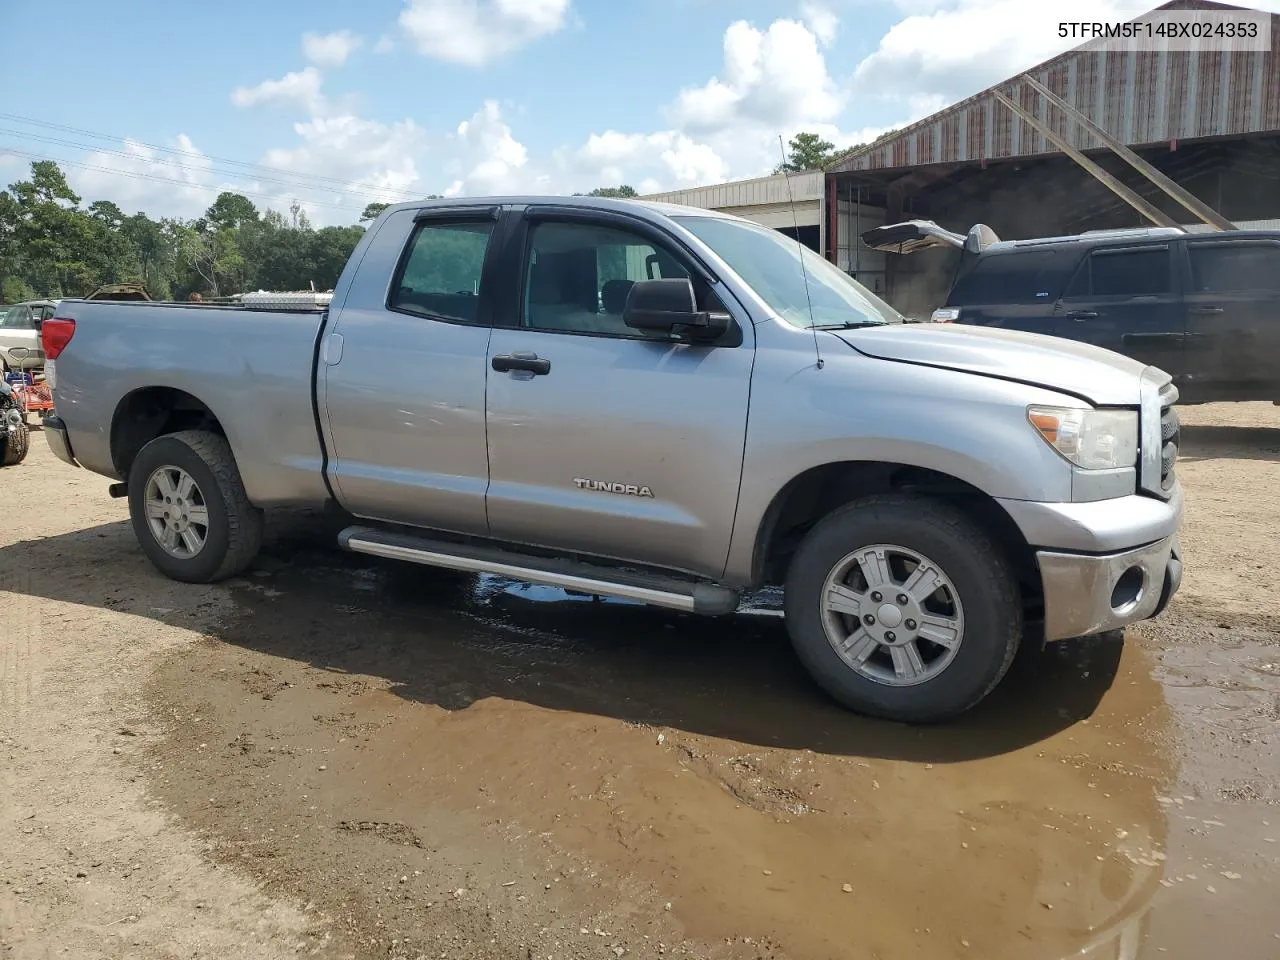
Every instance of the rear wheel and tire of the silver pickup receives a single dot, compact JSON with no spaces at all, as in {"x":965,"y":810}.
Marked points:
{"x":232,"y":528}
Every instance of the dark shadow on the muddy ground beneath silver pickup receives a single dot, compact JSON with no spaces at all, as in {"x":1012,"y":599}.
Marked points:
{"x":452,"y":641}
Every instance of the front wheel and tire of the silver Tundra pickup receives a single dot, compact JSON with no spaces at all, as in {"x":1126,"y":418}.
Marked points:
{"x":988,"y":620}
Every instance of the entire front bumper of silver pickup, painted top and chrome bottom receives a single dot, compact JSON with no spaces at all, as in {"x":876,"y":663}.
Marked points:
{"x":1104,"y":565}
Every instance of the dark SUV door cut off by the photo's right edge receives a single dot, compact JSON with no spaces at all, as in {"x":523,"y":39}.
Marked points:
{"x":1233,"y":318}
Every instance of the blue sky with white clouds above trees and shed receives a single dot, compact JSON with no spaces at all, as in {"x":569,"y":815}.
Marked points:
{"x":335,"y":104}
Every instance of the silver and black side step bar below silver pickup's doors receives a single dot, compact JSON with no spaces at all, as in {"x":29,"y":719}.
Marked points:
{"x":673,"y":593}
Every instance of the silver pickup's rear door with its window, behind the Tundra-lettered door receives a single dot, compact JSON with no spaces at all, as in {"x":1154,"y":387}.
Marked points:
{"x":404,"y":372}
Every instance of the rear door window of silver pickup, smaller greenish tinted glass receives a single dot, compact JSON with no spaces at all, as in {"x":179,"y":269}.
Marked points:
{"x":442,"y":273}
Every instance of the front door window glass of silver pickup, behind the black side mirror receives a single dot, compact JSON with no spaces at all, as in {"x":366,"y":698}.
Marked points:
{"x":579,"y":277}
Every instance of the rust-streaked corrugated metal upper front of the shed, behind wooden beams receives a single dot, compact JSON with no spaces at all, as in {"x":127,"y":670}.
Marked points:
{"x":1139,"y":98}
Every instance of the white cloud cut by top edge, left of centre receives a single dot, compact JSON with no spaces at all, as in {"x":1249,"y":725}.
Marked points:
{"x":476,"y":33}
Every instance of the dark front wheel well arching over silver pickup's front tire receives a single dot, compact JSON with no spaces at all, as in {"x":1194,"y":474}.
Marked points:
{"x":816,"y":493}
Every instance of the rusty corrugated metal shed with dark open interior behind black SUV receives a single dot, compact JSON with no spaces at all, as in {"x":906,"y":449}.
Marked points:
{"x":1210,"y":121}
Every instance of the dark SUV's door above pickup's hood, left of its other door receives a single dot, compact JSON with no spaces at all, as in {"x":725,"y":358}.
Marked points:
{"x":1127,"y":300}
